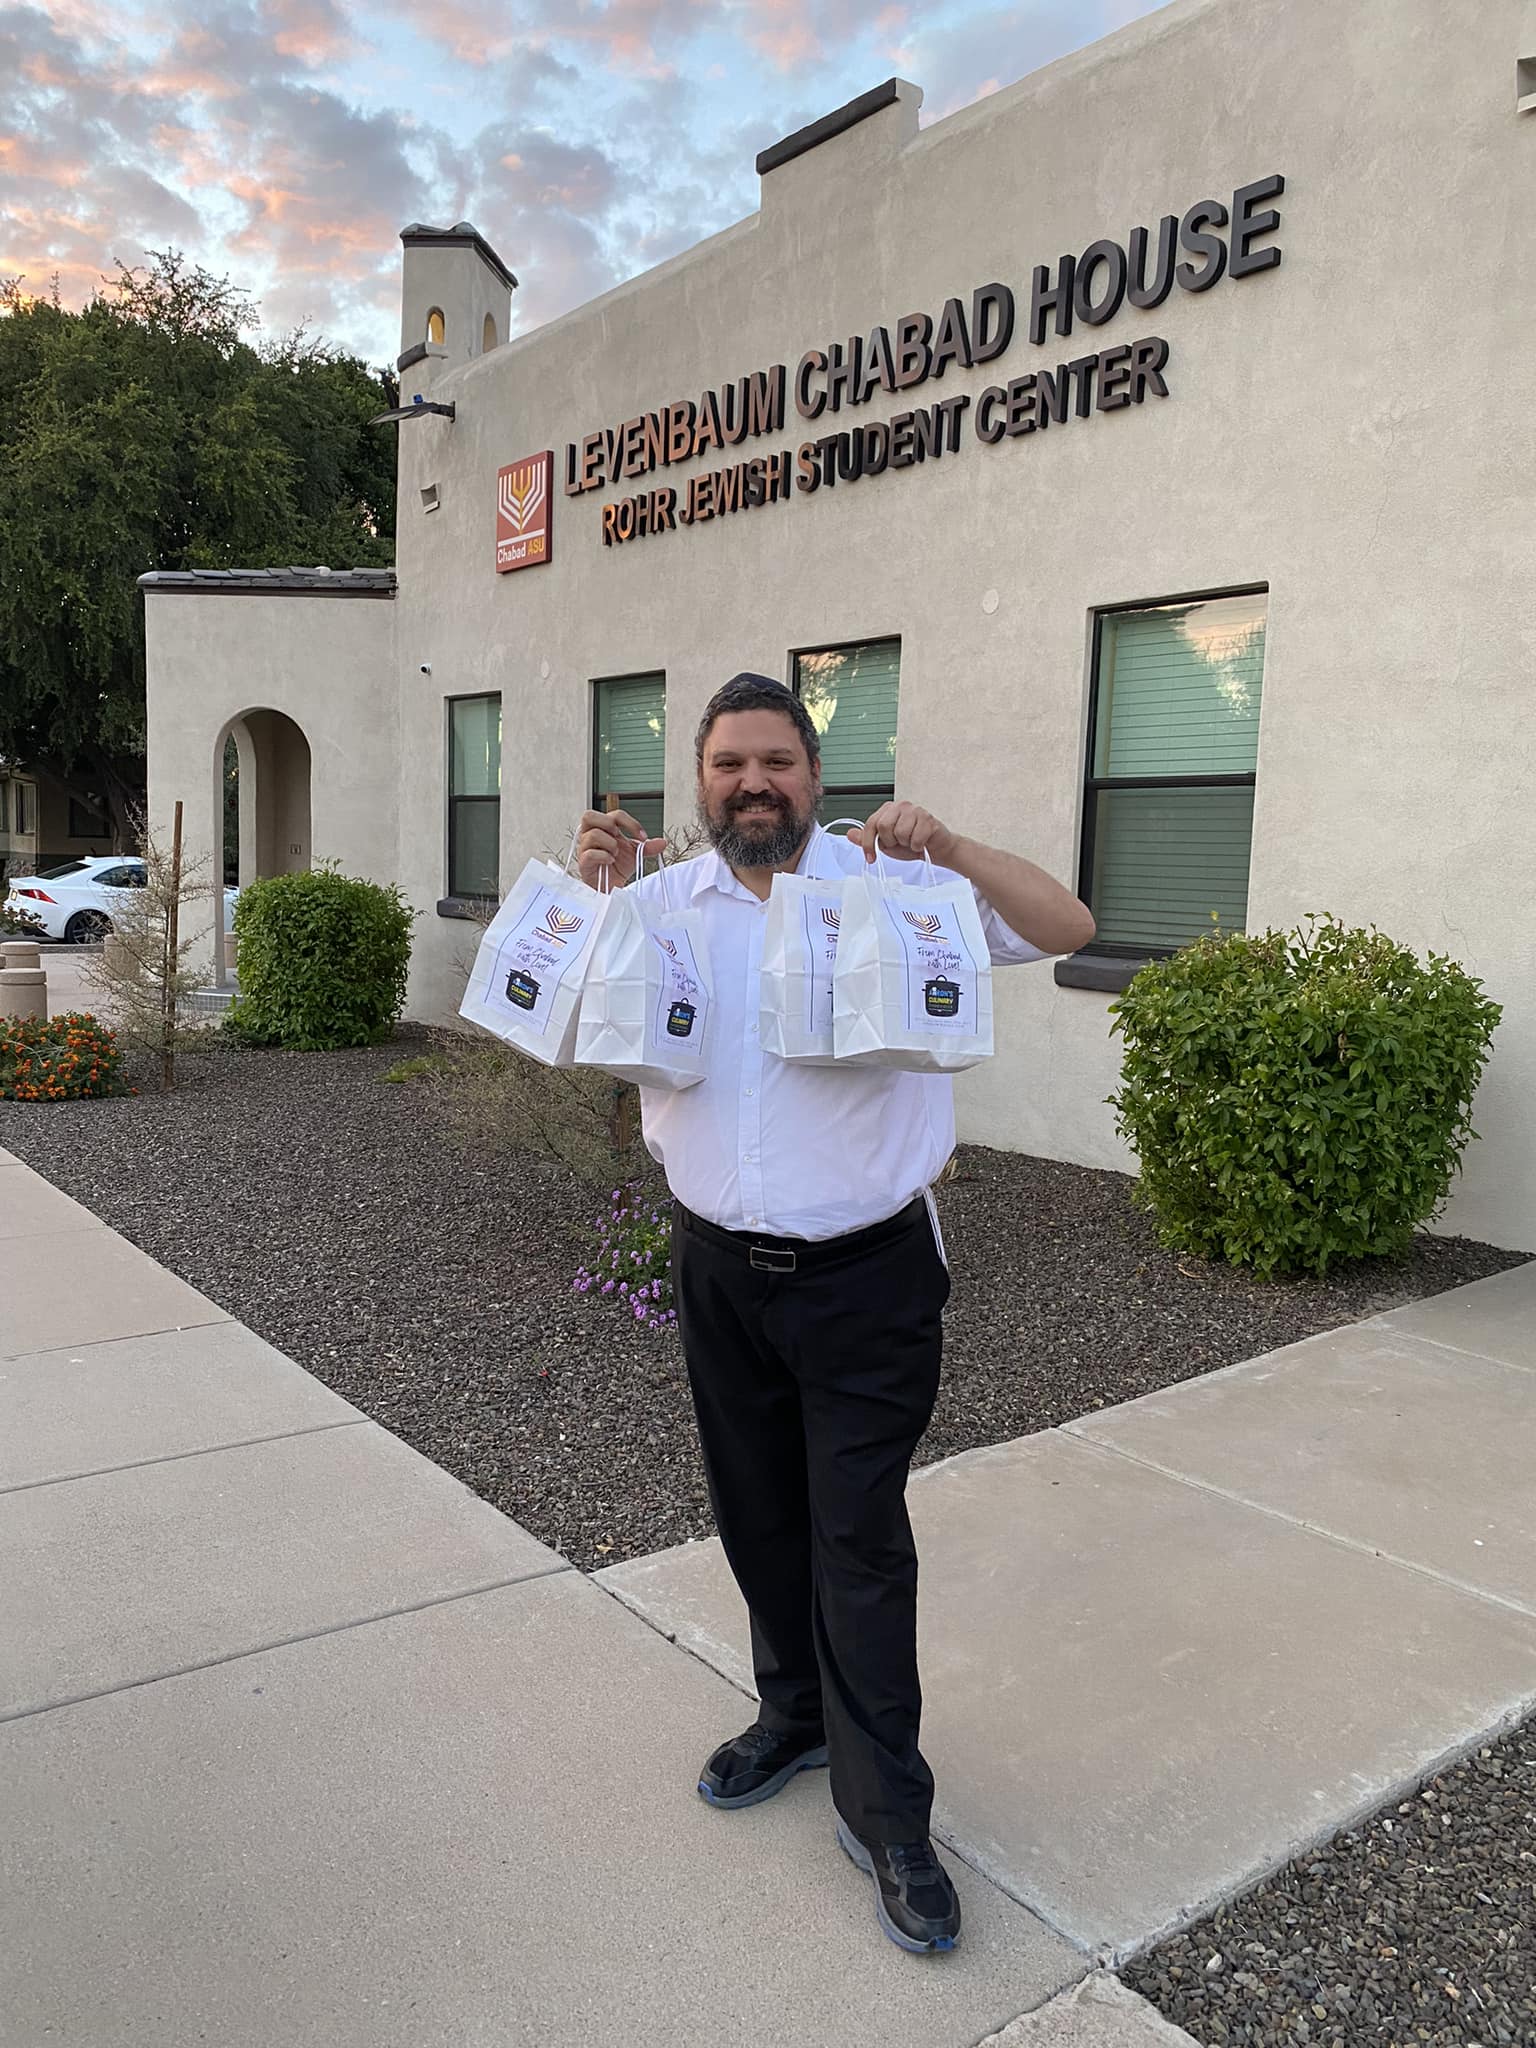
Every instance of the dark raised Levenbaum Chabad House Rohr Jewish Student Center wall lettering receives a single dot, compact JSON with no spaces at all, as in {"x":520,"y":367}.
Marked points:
{"x":1211,"y":241}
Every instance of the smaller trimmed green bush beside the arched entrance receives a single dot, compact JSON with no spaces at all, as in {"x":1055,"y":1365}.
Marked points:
{"x":323,"y":962}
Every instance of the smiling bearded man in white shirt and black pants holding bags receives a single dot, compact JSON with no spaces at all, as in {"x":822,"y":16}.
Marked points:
{"x":810,"y":1287}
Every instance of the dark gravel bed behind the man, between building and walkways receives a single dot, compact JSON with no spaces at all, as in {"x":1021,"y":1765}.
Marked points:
{"x":345,"y":1224}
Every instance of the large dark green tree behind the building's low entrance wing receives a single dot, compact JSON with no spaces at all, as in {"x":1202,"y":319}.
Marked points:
{"x":148,"y":433}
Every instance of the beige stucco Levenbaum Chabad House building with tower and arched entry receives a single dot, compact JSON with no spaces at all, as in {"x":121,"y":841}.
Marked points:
{"x":1138,"y":468}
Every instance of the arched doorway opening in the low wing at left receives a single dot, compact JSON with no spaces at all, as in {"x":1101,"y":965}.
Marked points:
{"x":261,"y":806}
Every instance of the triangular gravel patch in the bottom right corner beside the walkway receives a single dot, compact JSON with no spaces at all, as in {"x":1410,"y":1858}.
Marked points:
{"x":1412,"y":1932}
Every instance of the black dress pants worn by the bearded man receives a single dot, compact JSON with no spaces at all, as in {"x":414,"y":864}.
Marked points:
{"x":812,"y":1390}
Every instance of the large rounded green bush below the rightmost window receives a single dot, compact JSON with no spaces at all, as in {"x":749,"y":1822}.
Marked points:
{"x":1299,"y":1099}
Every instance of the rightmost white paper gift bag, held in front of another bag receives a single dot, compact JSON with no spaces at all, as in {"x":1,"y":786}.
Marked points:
{"x":912,"y":986}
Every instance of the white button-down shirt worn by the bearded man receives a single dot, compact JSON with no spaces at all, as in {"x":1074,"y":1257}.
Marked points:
{"x":775,"y":1146}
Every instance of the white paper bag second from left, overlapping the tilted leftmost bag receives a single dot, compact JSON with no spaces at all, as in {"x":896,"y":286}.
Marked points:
{"x":646,"y":1002}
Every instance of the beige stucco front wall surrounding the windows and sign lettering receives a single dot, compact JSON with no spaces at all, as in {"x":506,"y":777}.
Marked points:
{"x":1349,"y":429}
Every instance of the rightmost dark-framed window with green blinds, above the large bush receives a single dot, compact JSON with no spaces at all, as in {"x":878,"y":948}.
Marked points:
{"x":1172,"y":753}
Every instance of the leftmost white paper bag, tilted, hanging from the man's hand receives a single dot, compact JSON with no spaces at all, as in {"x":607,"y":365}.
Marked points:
{"x":527,"y":978}
